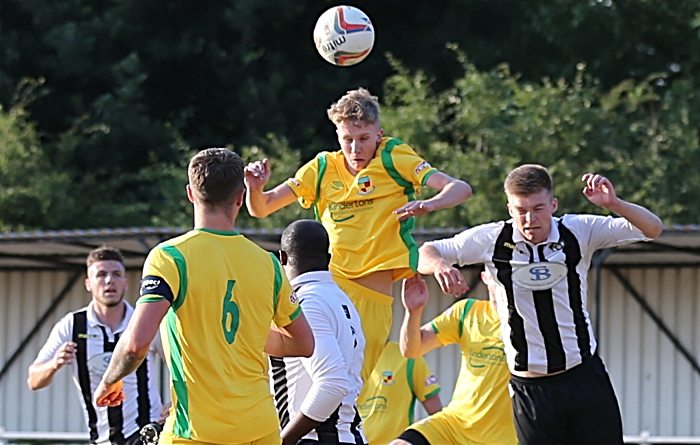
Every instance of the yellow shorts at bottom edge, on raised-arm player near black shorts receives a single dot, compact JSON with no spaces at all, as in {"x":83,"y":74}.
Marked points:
{"x":446,"y":427}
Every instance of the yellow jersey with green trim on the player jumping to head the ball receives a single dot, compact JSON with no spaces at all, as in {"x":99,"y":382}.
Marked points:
{"x":357,"y":210}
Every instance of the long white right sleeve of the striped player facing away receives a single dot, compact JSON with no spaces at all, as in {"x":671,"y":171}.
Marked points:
{"x":326,"y":365}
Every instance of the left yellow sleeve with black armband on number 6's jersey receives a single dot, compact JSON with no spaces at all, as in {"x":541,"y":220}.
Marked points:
{"x":160,"y":278}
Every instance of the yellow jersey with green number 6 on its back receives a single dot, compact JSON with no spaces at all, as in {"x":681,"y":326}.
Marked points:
{"x":224,"y":292}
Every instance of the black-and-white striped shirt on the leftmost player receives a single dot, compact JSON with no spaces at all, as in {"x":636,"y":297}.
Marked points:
{"x":96,"y":342}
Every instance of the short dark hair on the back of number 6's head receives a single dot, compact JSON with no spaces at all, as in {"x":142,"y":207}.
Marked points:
{"x":216,"y":176}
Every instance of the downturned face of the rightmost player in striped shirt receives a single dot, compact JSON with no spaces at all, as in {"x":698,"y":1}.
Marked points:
{"x":532,"y":214}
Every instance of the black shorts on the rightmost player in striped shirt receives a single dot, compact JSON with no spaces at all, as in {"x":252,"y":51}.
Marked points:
{"x":577,"y":407}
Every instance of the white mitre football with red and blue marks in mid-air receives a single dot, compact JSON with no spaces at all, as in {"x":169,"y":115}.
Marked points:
{"x":344,"y":35}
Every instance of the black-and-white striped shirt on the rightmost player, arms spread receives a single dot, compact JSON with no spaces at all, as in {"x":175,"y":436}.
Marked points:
{"x":547,"y":329}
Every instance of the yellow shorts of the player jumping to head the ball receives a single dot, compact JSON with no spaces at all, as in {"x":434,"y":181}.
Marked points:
{"x":375,"y":314}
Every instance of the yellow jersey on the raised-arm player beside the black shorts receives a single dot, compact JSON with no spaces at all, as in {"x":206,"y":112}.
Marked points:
{"x":480,"y":410}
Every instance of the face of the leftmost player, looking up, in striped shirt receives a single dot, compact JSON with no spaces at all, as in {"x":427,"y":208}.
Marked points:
{"x":107,"y":282}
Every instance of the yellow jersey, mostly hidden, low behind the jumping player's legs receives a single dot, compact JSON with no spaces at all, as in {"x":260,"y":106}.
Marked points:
{"x":387,"y":406}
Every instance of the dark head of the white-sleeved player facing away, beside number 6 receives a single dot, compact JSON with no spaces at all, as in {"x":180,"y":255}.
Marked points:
{"x":306,"y":244}
